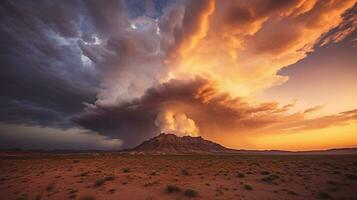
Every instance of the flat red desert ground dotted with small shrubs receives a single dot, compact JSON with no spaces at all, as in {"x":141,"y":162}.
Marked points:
{"x":115,"y":176}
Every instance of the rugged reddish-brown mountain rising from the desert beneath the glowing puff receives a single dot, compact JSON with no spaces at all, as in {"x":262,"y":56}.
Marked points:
{"x":172,"y":144}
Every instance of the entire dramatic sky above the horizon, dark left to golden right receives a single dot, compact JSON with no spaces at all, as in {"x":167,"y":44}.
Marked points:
{"x":257,"y":74}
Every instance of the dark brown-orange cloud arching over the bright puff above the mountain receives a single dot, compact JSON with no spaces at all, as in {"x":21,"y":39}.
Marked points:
{"x":134,"y":121}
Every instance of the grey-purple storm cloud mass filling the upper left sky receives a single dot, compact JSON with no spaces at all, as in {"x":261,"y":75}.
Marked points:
{"x":57,"y":55}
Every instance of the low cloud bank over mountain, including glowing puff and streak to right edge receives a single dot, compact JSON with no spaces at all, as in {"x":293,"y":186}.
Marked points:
{"x":187,"y":106}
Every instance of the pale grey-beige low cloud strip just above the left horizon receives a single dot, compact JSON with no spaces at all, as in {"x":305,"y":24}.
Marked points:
{"x":35,"y":137}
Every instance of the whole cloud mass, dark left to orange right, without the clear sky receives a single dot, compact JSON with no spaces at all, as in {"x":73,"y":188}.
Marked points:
{"x":190,"y":67}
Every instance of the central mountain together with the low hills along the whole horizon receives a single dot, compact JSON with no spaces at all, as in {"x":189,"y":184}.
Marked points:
{"x":172,"y":144}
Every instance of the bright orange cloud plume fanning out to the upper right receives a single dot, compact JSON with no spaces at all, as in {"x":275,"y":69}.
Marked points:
{"x":245,"y":43}
